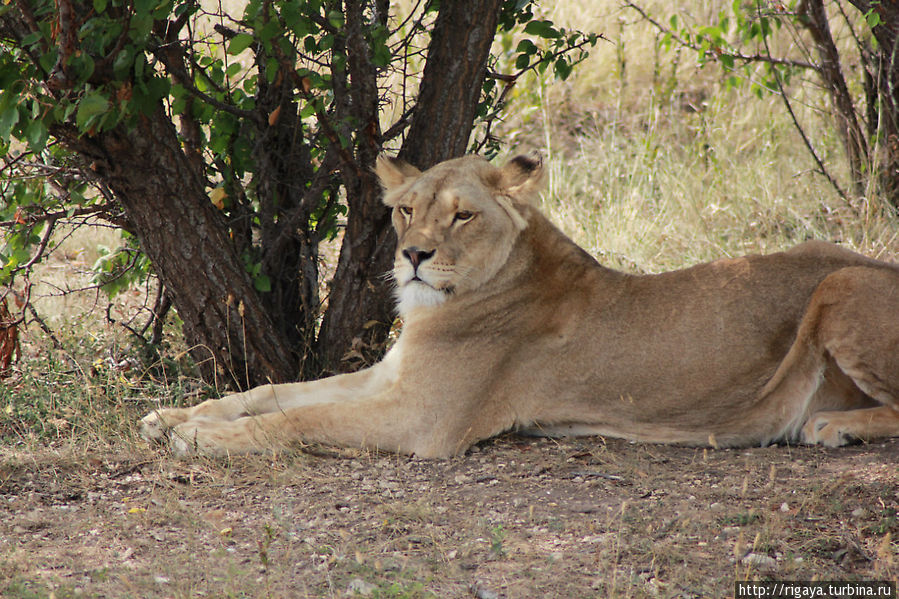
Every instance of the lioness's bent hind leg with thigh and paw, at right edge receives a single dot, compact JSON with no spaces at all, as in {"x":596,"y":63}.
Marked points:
{"x":857,"y":327}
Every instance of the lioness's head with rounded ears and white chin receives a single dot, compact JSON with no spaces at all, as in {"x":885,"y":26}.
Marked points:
{"x":456,"y":223}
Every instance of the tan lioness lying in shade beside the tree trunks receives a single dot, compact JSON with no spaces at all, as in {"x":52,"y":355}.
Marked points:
{"x":510,"y":325}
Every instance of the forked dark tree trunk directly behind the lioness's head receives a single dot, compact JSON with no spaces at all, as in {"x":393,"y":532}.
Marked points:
{"x":360,"y":307}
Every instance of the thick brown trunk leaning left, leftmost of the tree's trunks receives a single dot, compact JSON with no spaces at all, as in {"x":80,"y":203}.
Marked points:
{"x":228,"y":328}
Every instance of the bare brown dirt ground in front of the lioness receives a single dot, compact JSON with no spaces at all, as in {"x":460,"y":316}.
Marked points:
{"x":514,"y":518}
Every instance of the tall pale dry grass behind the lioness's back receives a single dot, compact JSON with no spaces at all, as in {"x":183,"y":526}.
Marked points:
{"x":654,"y":164}
